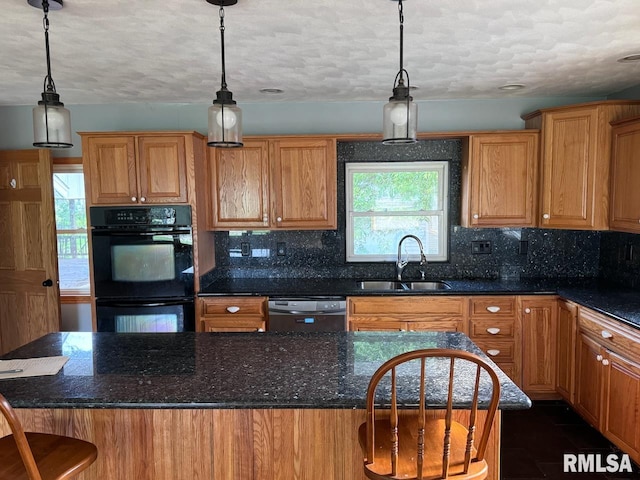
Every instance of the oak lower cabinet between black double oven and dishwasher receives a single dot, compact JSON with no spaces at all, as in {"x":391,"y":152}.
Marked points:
{"x":232,"y":314}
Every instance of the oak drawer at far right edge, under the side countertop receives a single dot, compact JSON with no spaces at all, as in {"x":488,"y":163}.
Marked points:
{"x":610,"y":333}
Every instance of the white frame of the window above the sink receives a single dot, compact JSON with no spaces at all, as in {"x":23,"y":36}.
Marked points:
{"x":442,"y":166}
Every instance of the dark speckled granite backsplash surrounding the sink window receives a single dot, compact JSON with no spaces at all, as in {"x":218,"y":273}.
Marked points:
{"x":515,"y":253}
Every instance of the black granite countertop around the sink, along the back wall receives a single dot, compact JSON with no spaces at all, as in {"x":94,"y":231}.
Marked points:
{"x":620,"y":303}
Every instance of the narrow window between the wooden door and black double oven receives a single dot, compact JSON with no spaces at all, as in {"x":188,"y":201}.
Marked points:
{"x":71,"y":229}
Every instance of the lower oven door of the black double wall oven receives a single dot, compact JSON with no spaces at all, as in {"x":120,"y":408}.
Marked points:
{"x":150,"y":316}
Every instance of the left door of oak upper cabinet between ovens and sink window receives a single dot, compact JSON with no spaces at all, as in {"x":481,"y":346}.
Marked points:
{"x":239,"y":187}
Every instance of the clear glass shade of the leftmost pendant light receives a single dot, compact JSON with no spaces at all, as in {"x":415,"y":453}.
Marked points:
{"x":51,"y":125}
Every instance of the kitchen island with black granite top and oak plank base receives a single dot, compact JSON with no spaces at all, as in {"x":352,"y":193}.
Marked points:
{"x":222,"y":406}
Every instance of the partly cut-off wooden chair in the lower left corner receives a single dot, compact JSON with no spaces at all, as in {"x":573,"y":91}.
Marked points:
{"x":40,"y":456}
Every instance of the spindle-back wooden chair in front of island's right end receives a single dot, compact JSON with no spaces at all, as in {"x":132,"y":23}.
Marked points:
{"x":412,"y":446}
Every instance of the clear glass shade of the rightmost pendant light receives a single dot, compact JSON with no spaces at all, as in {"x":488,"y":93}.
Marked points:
{"x":400,"y":121}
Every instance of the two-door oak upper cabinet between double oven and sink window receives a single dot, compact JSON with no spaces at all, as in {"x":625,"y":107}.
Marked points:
{"x":275,"y":183}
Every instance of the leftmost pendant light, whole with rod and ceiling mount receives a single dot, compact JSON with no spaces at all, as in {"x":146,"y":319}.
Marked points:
{"x":51,"y":121}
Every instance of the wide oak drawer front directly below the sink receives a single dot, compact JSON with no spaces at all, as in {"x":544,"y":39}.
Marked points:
{"x":408,"y":305}
